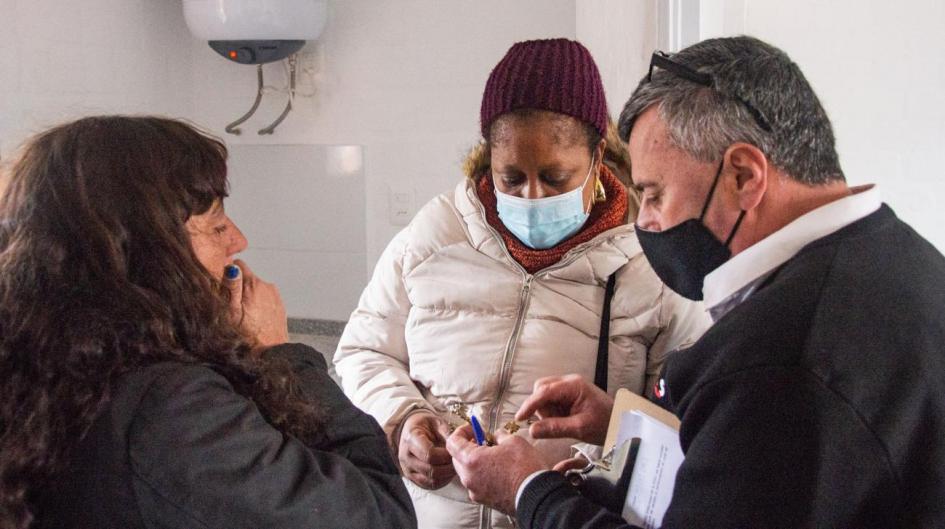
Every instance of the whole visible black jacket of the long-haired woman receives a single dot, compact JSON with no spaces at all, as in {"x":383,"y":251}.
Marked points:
{"x":177,"y":447}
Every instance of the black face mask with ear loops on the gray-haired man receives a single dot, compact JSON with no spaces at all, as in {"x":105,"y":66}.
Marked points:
{"x":683,"y":255}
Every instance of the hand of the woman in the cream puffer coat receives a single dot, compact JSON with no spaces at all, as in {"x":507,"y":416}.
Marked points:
{"x":422,"y":451}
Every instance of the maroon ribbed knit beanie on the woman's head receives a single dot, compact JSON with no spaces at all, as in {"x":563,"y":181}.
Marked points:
{"x":555,"y":74}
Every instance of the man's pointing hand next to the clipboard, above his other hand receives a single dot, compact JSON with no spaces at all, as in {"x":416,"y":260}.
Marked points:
{"x":567,"y":406}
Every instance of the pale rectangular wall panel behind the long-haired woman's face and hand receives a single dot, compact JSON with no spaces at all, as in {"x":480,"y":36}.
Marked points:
{"x":302,"y":208}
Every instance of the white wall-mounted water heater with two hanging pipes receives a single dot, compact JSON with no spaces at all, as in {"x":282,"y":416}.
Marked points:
{"x":257,"y":32}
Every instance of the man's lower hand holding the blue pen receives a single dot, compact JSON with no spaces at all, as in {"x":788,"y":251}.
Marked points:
{"x":493,"y":474}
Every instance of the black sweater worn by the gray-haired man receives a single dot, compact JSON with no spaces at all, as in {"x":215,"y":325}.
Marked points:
{"x":818,"y":402}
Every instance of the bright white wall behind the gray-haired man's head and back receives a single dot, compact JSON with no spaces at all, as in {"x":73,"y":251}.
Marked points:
{"x":877,"y":67}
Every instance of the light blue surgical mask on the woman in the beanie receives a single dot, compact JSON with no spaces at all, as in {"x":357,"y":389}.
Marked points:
{"x":541,"y":223}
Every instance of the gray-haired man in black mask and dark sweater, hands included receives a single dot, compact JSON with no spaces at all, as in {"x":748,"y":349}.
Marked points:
{"x":817,"y":398}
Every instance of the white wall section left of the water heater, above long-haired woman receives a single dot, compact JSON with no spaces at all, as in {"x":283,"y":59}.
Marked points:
{"x":60,"y":60}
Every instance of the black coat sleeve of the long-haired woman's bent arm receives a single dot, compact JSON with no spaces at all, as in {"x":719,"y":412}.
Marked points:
{"x":203,"y":455}
